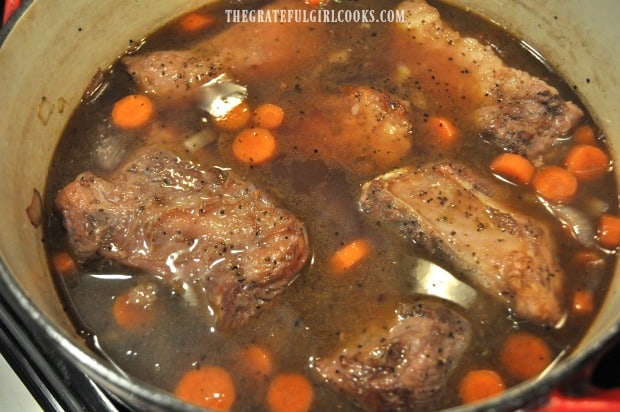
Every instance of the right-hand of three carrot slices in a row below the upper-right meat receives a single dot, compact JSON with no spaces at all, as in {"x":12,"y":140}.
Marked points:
{"x":587,"y":162}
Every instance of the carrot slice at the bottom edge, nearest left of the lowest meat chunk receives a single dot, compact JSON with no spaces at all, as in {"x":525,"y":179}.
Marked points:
{"x":290,"y":392}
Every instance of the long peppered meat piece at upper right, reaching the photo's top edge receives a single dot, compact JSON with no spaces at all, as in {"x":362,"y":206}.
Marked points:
{"x":518,"y":112}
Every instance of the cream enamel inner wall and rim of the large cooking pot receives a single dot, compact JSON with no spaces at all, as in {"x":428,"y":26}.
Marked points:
{"x":51,"y":49}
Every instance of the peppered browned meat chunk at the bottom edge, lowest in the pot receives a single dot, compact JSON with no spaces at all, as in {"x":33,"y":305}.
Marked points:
{"x":405,"y":365}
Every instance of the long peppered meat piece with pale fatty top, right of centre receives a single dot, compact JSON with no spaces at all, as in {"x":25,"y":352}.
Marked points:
{"x":451,"y":212}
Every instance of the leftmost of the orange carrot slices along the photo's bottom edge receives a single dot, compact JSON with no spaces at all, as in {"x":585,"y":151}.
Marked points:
{"x":210,"y":387}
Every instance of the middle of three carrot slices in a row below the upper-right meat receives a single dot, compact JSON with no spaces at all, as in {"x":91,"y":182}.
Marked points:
{"x":555,"y":184}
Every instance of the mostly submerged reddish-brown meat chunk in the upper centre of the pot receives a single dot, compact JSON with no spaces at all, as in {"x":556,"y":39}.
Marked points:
{"x":360,"y":129}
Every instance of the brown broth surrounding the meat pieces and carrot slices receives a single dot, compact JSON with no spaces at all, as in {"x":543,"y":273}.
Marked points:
{"x":318,"y":311}
